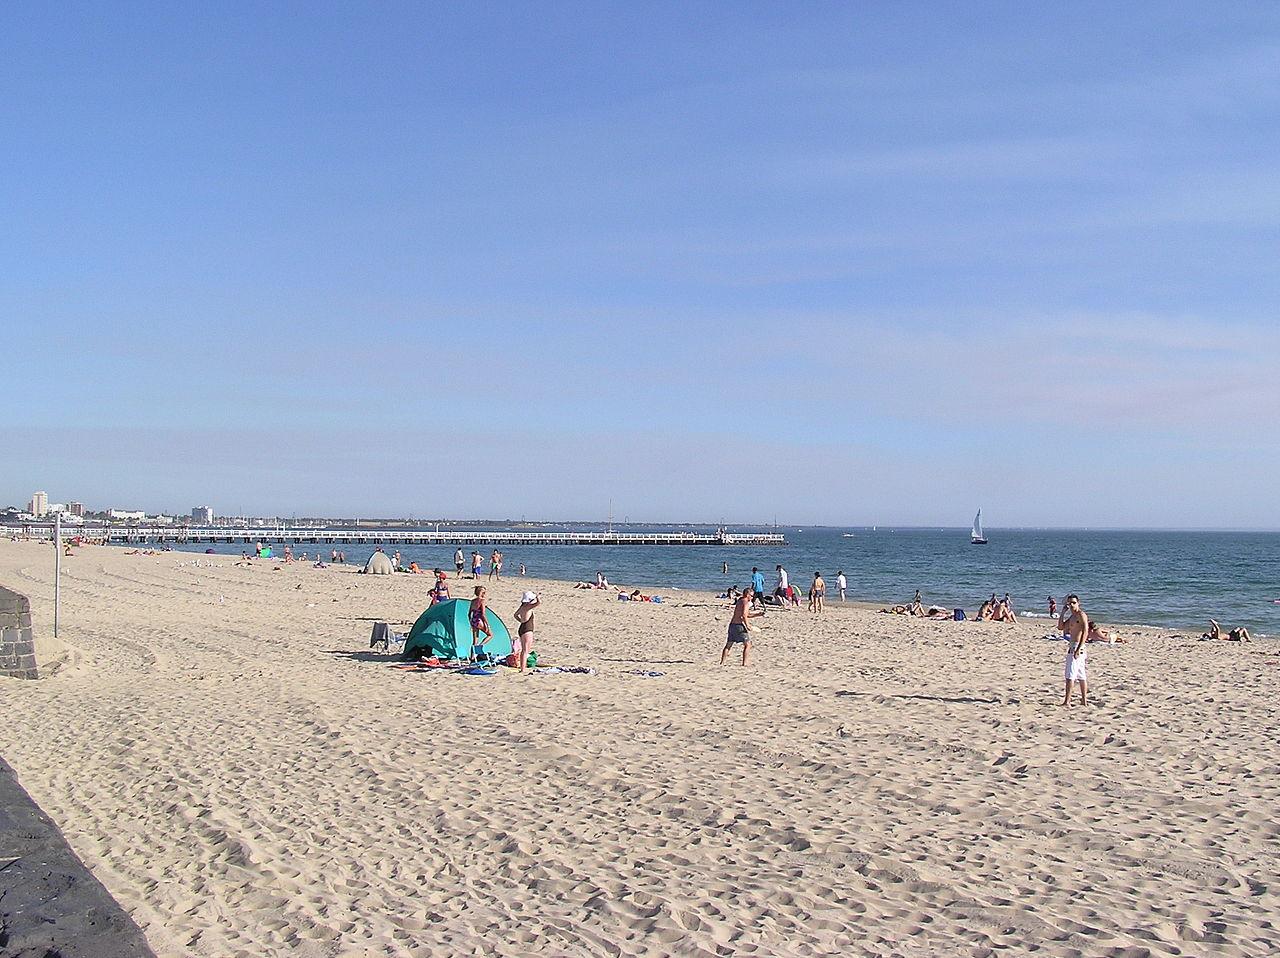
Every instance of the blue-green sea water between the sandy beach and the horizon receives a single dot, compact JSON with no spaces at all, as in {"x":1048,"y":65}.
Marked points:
{"x":1176,"y":580}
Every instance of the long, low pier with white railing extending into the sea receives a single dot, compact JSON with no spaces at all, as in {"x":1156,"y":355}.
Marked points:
{"x":141,"y":535}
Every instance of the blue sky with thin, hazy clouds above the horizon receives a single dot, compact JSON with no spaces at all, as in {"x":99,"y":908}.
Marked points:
{"x":848,"y":263}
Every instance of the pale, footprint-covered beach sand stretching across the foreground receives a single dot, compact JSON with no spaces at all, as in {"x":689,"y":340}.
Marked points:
{"x":221,"y":749}
